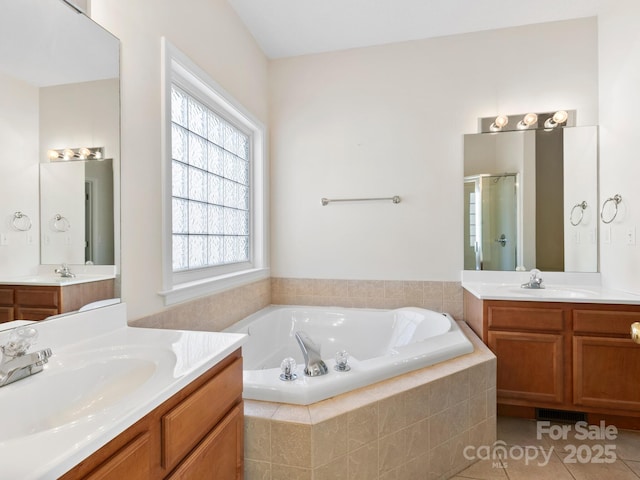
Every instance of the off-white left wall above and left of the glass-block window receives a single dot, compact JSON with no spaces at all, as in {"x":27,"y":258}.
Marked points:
{"x":211,"y":34}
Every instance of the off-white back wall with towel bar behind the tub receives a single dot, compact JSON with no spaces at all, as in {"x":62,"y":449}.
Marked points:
{"x":389,"y":120}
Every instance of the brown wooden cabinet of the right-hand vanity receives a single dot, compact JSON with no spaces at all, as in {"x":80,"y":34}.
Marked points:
{"x":563,"y":356}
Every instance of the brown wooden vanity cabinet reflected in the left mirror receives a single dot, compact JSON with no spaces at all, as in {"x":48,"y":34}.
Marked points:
{"x":37,"y":302}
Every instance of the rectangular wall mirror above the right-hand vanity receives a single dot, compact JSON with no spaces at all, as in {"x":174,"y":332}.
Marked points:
{"x":530,"y":200}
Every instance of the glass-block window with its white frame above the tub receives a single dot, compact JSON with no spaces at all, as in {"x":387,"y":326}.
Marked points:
{"x":214,"y":200}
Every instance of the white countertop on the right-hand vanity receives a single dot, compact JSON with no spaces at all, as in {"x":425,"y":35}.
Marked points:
{"x":551,"y":293}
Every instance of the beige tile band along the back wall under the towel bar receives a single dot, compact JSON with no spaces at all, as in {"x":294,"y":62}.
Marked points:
{"x":433,"y":295}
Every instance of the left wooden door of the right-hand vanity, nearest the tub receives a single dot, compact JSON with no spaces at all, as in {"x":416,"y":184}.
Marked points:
{"x":530,"y":366}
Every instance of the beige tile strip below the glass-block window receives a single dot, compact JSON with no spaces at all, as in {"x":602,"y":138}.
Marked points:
{"x":214,"y":312}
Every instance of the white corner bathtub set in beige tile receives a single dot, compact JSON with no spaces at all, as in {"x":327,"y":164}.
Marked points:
{"x":381,"y":344}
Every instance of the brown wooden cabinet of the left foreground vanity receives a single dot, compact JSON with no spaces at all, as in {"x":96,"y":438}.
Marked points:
{"x":197,"y":433}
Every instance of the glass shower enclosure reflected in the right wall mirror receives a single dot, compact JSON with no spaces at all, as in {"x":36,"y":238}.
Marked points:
{"x":491,"y":222}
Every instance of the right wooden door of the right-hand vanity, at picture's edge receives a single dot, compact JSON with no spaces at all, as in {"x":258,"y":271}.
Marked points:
{"x":606,"y":372}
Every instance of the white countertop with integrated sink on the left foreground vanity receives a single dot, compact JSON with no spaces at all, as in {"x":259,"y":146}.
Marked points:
{"x":50,"y":422}
